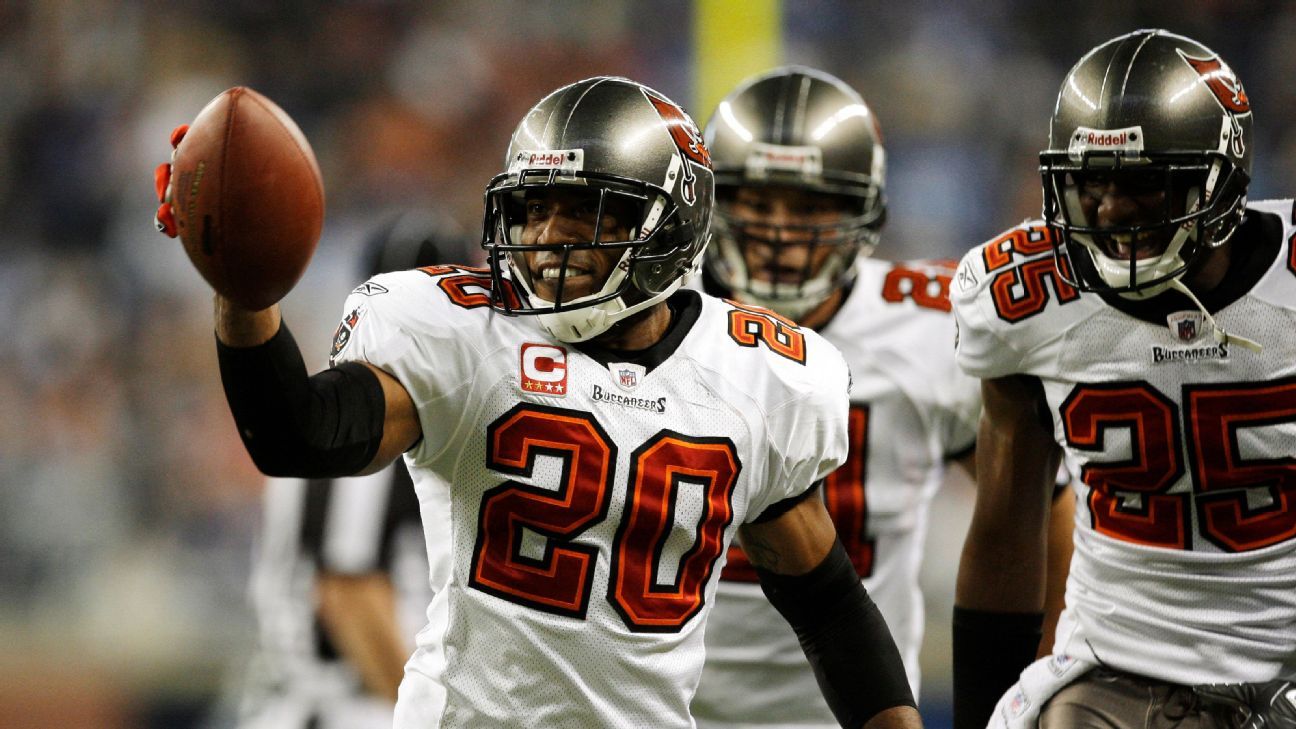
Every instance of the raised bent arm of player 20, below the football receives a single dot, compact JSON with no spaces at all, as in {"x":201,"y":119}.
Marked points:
{"x":345,"y":421}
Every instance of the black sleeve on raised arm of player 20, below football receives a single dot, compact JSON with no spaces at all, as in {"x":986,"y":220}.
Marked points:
{"x":294,"y":425}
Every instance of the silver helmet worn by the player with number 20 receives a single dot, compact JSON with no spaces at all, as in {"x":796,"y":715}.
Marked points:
{"x":637,"y":150}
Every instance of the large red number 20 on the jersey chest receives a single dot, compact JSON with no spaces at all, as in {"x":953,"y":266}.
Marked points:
{"x":561,"y":580}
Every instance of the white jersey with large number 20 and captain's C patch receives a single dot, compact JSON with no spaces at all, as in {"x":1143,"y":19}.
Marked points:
{"x":586,"y":503}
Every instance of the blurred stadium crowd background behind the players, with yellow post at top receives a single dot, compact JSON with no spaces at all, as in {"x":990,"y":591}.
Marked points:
{"x":128,"y":507}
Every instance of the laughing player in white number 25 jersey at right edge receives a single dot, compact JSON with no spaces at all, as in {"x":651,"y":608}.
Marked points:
{"x":1144,"y":328}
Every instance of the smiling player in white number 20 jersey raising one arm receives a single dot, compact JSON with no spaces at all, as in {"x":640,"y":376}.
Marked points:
{"x":588,"y":464}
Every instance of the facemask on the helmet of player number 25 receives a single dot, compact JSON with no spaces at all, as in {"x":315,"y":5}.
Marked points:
{"x":1188,"y":204}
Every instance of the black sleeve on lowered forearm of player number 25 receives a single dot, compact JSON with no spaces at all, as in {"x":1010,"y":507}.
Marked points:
{"x":991,"y":649}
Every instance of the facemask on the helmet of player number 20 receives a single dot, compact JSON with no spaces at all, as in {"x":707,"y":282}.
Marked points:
{"x":643,"y":211}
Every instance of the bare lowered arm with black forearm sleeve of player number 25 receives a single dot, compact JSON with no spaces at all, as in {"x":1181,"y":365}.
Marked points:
{"x":1000,"y":599}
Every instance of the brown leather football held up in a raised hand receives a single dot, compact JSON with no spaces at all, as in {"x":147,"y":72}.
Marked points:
{"x":248,"y":198}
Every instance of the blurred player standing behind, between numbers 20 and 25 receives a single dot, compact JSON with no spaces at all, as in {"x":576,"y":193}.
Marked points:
{"x":802,"y":200}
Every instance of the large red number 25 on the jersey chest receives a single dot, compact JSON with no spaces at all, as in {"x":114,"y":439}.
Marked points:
{"x":1223,"y":479}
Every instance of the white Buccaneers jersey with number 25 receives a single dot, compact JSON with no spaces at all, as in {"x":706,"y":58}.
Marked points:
{"x":1185,"y":564}
